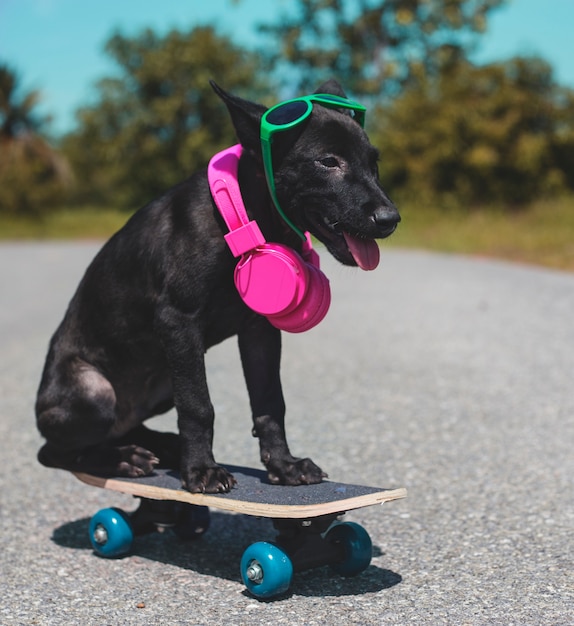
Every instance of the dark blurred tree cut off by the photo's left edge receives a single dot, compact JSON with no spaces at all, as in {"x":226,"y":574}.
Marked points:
{"x":33,"y":176}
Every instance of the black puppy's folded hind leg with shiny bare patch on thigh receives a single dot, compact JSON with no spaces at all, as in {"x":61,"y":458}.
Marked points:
{"x":77,"y":414}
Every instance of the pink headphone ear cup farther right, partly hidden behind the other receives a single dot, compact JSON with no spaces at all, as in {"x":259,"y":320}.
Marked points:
{"x":312,"y":308}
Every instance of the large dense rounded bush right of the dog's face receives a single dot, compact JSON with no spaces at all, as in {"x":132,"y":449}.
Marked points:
{"x":500,"y":133}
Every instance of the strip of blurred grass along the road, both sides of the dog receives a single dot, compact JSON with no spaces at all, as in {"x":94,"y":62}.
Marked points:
{"x":542,"y":235}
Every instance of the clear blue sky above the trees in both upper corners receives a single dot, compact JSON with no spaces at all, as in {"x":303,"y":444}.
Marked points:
{"x":57,"y":45}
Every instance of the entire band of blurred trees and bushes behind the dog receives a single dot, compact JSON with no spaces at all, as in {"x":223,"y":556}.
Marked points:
{"x":450,"y":133}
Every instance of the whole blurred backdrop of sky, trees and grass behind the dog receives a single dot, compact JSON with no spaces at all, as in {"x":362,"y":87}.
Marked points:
{"x":103,"y":106}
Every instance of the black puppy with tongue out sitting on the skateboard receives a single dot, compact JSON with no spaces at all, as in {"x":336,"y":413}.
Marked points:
{"x":161,"y":292}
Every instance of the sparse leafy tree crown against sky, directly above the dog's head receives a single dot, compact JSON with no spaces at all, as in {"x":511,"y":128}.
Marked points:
{"x":373,"y":46}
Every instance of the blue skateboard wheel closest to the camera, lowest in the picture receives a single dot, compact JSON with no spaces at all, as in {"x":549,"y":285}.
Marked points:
{"x":266,"y":570}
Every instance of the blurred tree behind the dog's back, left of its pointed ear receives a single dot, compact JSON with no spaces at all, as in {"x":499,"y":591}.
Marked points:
{"x":158,"y":119}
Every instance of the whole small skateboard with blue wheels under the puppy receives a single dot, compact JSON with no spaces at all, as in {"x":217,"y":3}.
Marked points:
{"x":306,"y":518}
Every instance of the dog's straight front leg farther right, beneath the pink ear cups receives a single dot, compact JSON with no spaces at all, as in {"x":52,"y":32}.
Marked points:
{"x":260,"y":347}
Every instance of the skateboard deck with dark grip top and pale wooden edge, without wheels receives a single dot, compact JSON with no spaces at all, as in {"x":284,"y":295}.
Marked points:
{"x":254,"y":494}
